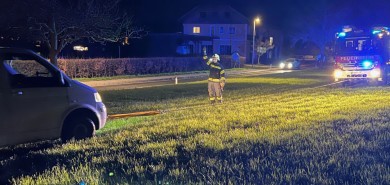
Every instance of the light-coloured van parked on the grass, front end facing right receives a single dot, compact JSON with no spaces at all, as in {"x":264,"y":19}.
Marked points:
{"x":38,"y":101}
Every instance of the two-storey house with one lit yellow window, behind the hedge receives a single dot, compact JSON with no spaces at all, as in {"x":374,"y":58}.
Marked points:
{"x":227,"y":28}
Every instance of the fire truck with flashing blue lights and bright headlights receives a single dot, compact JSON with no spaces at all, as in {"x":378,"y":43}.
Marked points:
{"x":362,"y":55}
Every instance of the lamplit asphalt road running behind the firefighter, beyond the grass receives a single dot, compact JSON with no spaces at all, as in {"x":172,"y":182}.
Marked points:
{"x":142,"y":82}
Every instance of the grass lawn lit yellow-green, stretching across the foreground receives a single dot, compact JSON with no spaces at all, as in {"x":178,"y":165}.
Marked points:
{"x":274,"y":129}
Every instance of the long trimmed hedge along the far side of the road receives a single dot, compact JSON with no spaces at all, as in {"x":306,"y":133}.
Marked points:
{"x":103,"y":67}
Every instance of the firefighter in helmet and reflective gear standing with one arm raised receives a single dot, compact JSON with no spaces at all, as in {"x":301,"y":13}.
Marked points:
{"x":216,"y":81}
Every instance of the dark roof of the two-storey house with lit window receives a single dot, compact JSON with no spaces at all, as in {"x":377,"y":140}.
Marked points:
{"x":214,"y":14}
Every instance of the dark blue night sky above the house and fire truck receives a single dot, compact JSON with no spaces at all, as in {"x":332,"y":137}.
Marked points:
{"x":163,"y":15}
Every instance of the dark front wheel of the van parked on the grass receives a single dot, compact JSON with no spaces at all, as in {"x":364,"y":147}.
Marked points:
{"x":78,"y":129}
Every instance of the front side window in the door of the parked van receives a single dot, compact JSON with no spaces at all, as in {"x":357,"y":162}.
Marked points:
{"x":27,"y":73}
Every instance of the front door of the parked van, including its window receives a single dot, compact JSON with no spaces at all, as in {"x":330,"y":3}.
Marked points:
{"x":36,"y":99}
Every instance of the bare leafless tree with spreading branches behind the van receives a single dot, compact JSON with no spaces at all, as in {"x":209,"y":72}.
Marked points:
{"x":61,"y":22}
